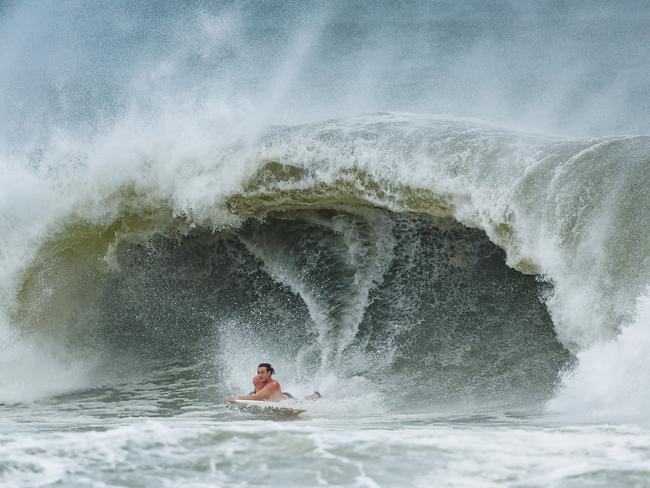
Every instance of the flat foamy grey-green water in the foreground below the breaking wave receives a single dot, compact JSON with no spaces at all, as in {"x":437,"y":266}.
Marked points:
{"x":204,"y":444}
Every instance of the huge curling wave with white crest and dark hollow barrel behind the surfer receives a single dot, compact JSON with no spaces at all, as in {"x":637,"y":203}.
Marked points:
{"x":442,"y":259}
